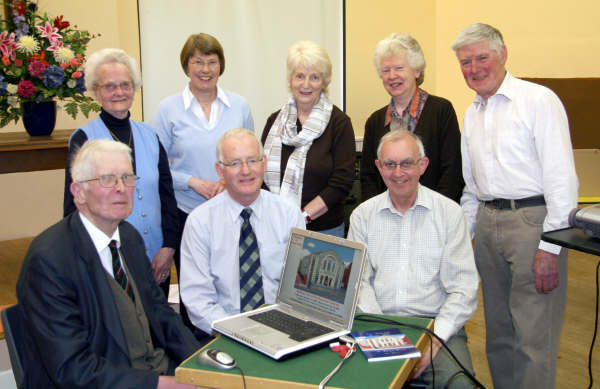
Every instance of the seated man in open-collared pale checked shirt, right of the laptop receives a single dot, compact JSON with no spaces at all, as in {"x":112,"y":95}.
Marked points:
{"x":420,"y":260}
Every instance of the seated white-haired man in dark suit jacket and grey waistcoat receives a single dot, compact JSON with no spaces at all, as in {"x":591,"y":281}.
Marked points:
{"x":87,"y":291}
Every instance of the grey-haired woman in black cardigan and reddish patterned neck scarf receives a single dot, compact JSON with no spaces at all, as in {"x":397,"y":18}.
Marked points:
{"x":400,"y":64}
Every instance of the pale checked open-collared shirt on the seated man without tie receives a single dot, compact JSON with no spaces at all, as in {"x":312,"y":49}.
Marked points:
{"x":418,"y":264}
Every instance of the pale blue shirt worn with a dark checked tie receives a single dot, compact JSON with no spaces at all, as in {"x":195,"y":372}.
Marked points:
{"x":210,"y":281}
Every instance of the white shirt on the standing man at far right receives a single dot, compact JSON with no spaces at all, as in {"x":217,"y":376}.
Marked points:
{"x":518,"y":145}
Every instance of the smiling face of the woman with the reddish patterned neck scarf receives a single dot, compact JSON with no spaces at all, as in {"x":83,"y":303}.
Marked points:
{"x":399,"y":79}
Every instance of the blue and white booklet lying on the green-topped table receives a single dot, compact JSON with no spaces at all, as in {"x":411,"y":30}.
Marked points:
{"x":384,"y":345}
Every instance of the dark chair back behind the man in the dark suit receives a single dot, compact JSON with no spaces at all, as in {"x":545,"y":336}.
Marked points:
{"x":14,"y":332}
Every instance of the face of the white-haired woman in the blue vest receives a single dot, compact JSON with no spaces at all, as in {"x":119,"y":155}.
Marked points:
{"x":115,"y":89}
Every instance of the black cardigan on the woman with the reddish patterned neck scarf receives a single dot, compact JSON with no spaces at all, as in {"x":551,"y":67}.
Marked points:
{"x":438,"y":129}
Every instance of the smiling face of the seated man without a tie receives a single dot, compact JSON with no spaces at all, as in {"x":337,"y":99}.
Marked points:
{"x":402,"y":183}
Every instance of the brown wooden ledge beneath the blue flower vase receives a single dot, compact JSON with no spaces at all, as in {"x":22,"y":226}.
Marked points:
{"x":20,"y":152}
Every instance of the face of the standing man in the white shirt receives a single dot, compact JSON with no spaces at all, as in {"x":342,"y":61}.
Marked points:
{"x":482,"y":67}
